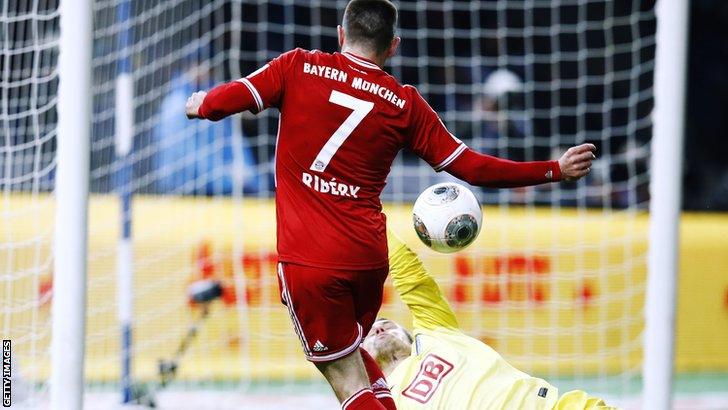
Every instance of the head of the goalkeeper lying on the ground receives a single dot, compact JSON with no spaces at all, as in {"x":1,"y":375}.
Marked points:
{"x":388,"y":343}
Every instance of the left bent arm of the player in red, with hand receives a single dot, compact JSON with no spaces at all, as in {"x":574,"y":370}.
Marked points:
{"x":262,"y":89}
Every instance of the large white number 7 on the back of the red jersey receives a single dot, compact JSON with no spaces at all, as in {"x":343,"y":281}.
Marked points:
{"x":361,"y":109}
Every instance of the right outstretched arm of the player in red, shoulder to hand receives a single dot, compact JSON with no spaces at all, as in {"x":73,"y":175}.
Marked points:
{"x":429,"y":139}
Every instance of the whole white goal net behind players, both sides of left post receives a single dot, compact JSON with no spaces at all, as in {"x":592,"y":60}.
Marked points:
{"x":555,"y":283}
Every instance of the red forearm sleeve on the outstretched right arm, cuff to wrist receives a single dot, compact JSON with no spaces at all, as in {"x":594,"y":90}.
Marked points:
{"x":492,"y":172}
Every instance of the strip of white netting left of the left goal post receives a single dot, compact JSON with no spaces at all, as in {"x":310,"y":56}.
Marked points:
{"x":28,"y":88}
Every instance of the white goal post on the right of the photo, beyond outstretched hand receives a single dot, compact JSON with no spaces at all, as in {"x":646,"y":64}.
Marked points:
{"x":665,"y":201}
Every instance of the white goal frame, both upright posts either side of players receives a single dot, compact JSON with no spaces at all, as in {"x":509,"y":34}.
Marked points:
{"x":72,"y":183}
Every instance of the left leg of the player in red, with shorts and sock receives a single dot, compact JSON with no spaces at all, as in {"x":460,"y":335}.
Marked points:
{"x":321,"y":306}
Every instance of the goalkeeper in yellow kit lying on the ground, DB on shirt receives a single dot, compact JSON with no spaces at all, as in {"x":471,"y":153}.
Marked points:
{"x":443,"y":368}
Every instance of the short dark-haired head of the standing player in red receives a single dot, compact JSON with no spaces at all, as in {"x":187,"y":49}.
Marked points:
{"x":368,"y":28}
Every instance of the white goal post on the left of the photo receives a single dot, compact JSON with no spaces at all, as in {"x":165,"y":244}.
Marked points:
{"x":70,"y":243}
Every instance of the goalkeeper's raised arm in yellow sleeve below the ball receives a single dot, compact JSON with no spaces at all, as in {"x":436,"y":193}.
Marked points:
{"x":417,"y":289}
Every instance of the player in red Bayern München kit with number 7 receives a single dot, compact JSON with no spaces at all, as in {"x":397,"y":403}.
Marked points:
{"x":342,"y":122}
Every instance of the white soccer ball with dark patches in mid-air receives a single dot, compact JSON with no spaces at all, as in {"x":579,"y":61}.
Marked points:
{"x":447,"y":217}
